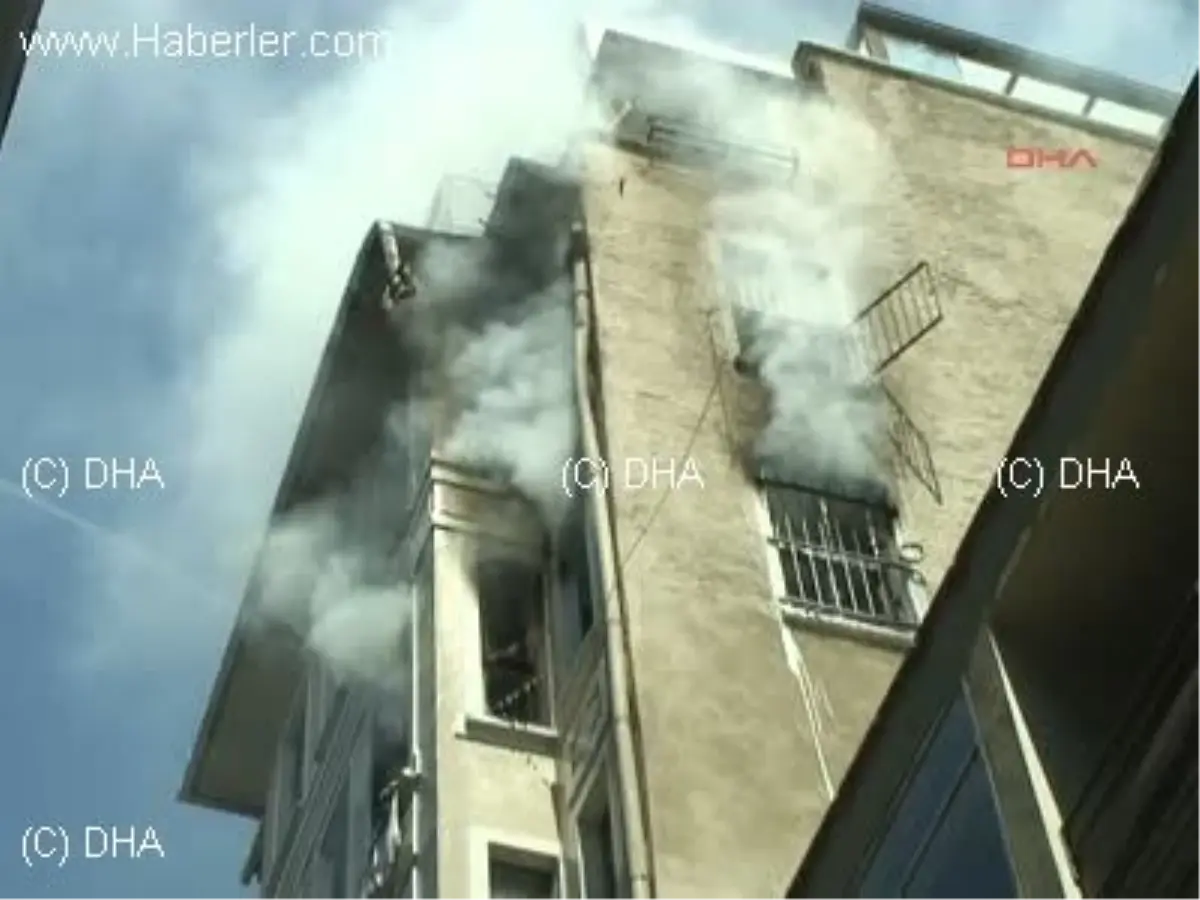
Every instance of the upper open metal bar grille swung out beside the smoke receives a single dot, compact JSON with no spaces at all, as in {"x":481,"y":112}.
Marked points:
{"x":901,"y":316}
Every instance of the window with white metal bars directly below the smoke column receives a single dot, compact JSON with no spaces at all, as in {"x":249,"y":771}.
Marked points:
{"x":838,"y":556}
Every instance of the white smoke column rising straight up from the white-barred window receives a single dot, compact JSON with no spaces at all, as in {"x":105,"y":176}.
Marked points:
{"x":806,"y":261}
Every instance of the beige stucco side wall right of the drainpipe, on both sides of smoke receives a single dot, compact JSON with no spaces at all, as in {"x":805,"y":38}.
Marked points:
{"x":734,"y":778}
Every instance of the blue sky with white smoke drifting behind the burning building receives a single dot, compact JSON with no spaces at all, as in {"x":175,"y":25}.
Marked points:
{"x":175,"y":236}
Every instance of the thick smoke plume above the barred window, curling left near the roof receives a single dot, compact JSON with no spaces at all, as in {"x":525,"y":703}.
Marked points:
{"x":793,"y":253}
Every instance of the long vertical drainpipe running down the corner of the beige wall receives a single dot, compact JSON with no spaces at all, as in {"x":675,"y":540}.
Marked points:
{"x":628,"y":770}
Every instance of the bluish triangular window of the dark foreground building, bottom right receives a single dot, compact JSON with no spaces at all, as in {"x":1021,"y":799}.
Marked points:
{"x":946,"y":838}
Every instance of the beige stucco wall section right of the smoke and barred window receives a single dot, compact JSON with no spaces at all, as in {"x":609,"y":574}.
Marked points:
{"x":1015,"y":251}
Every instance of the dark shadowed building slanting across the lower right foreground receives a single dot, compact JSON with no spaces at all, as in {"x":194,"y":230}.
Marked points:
{"x":1058,"y":669}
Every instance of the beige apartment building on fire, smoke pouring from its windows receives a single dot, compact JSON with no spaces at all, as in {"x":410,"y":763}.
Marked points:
{"x":835,"y":295}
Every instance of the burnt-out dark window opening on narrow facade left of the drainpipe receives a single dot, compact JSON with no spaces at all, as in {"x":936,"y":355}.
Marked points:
{"x":512,"y":604}
